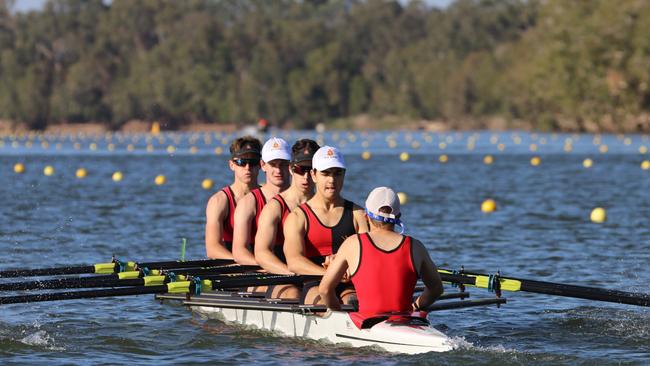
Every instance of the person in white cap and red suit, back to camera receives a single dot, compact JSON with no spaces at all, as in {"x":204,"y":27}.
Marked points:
{"x":382,"y":264}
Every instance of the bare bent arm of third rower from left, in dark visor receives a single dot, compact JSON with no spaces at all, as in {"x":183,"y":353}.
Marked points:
{"x":264,"y":239}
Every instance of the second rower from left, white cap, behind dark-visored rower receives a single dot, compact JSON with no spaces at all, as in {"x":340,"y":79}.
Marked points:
{"x":275,"y":164}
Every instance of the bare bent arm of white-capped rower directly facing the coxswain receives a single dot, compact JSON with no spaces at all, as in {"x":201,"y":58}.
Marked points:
{"x":294,"y":246}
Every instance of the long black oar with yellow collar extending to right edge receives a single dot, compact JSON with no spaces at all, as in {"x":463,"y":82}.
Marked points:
{"x":499,"y":283}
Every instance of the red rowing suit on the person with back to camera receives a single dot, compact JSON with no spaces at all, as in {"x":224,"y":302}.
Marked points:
{"x":385,"y":280}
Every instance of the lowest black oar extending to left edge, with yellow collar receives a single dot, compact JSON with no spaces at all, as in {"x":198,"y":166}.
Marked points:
{"x":156,"y":286}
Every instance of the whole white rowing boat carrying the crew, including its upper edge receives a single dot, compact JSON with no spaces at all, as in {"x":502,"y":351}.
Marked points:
{"x":403,"y":334}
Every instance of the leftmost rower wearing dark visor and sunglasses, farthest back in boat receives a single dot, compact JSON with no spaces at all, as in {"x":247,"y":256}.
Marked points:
{"x":219,"y":212}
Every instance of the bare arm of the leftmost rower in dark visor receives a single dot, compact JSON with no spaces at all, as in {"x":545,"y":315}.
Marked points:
{"x":215,"y":213}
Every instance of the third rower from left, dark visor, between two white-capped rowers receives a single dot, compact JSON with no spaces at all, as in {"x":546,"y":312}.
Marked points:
{"x":269,"y":240}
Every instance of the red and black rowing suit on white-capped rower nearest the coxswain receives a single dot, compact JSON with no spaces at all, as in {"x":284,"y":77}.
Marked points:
{"x":321,"y":240}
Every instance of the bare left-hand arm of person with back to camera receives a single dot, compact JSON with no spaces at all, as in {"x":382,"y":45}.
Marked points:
{"x":336,"y":271}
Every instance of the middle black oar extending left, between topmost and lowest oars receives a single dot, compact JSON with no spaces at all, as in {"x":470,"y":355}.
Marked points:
{"x":122,"y":279}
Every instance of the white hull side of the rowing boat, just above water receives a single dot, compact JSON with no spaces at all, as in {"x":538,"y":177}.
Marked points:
{"x":336,"y":327}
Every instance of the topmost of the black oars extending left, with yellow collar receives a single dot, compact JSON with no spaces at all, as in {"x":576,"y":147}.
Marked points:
{"x":111,"y":267}
